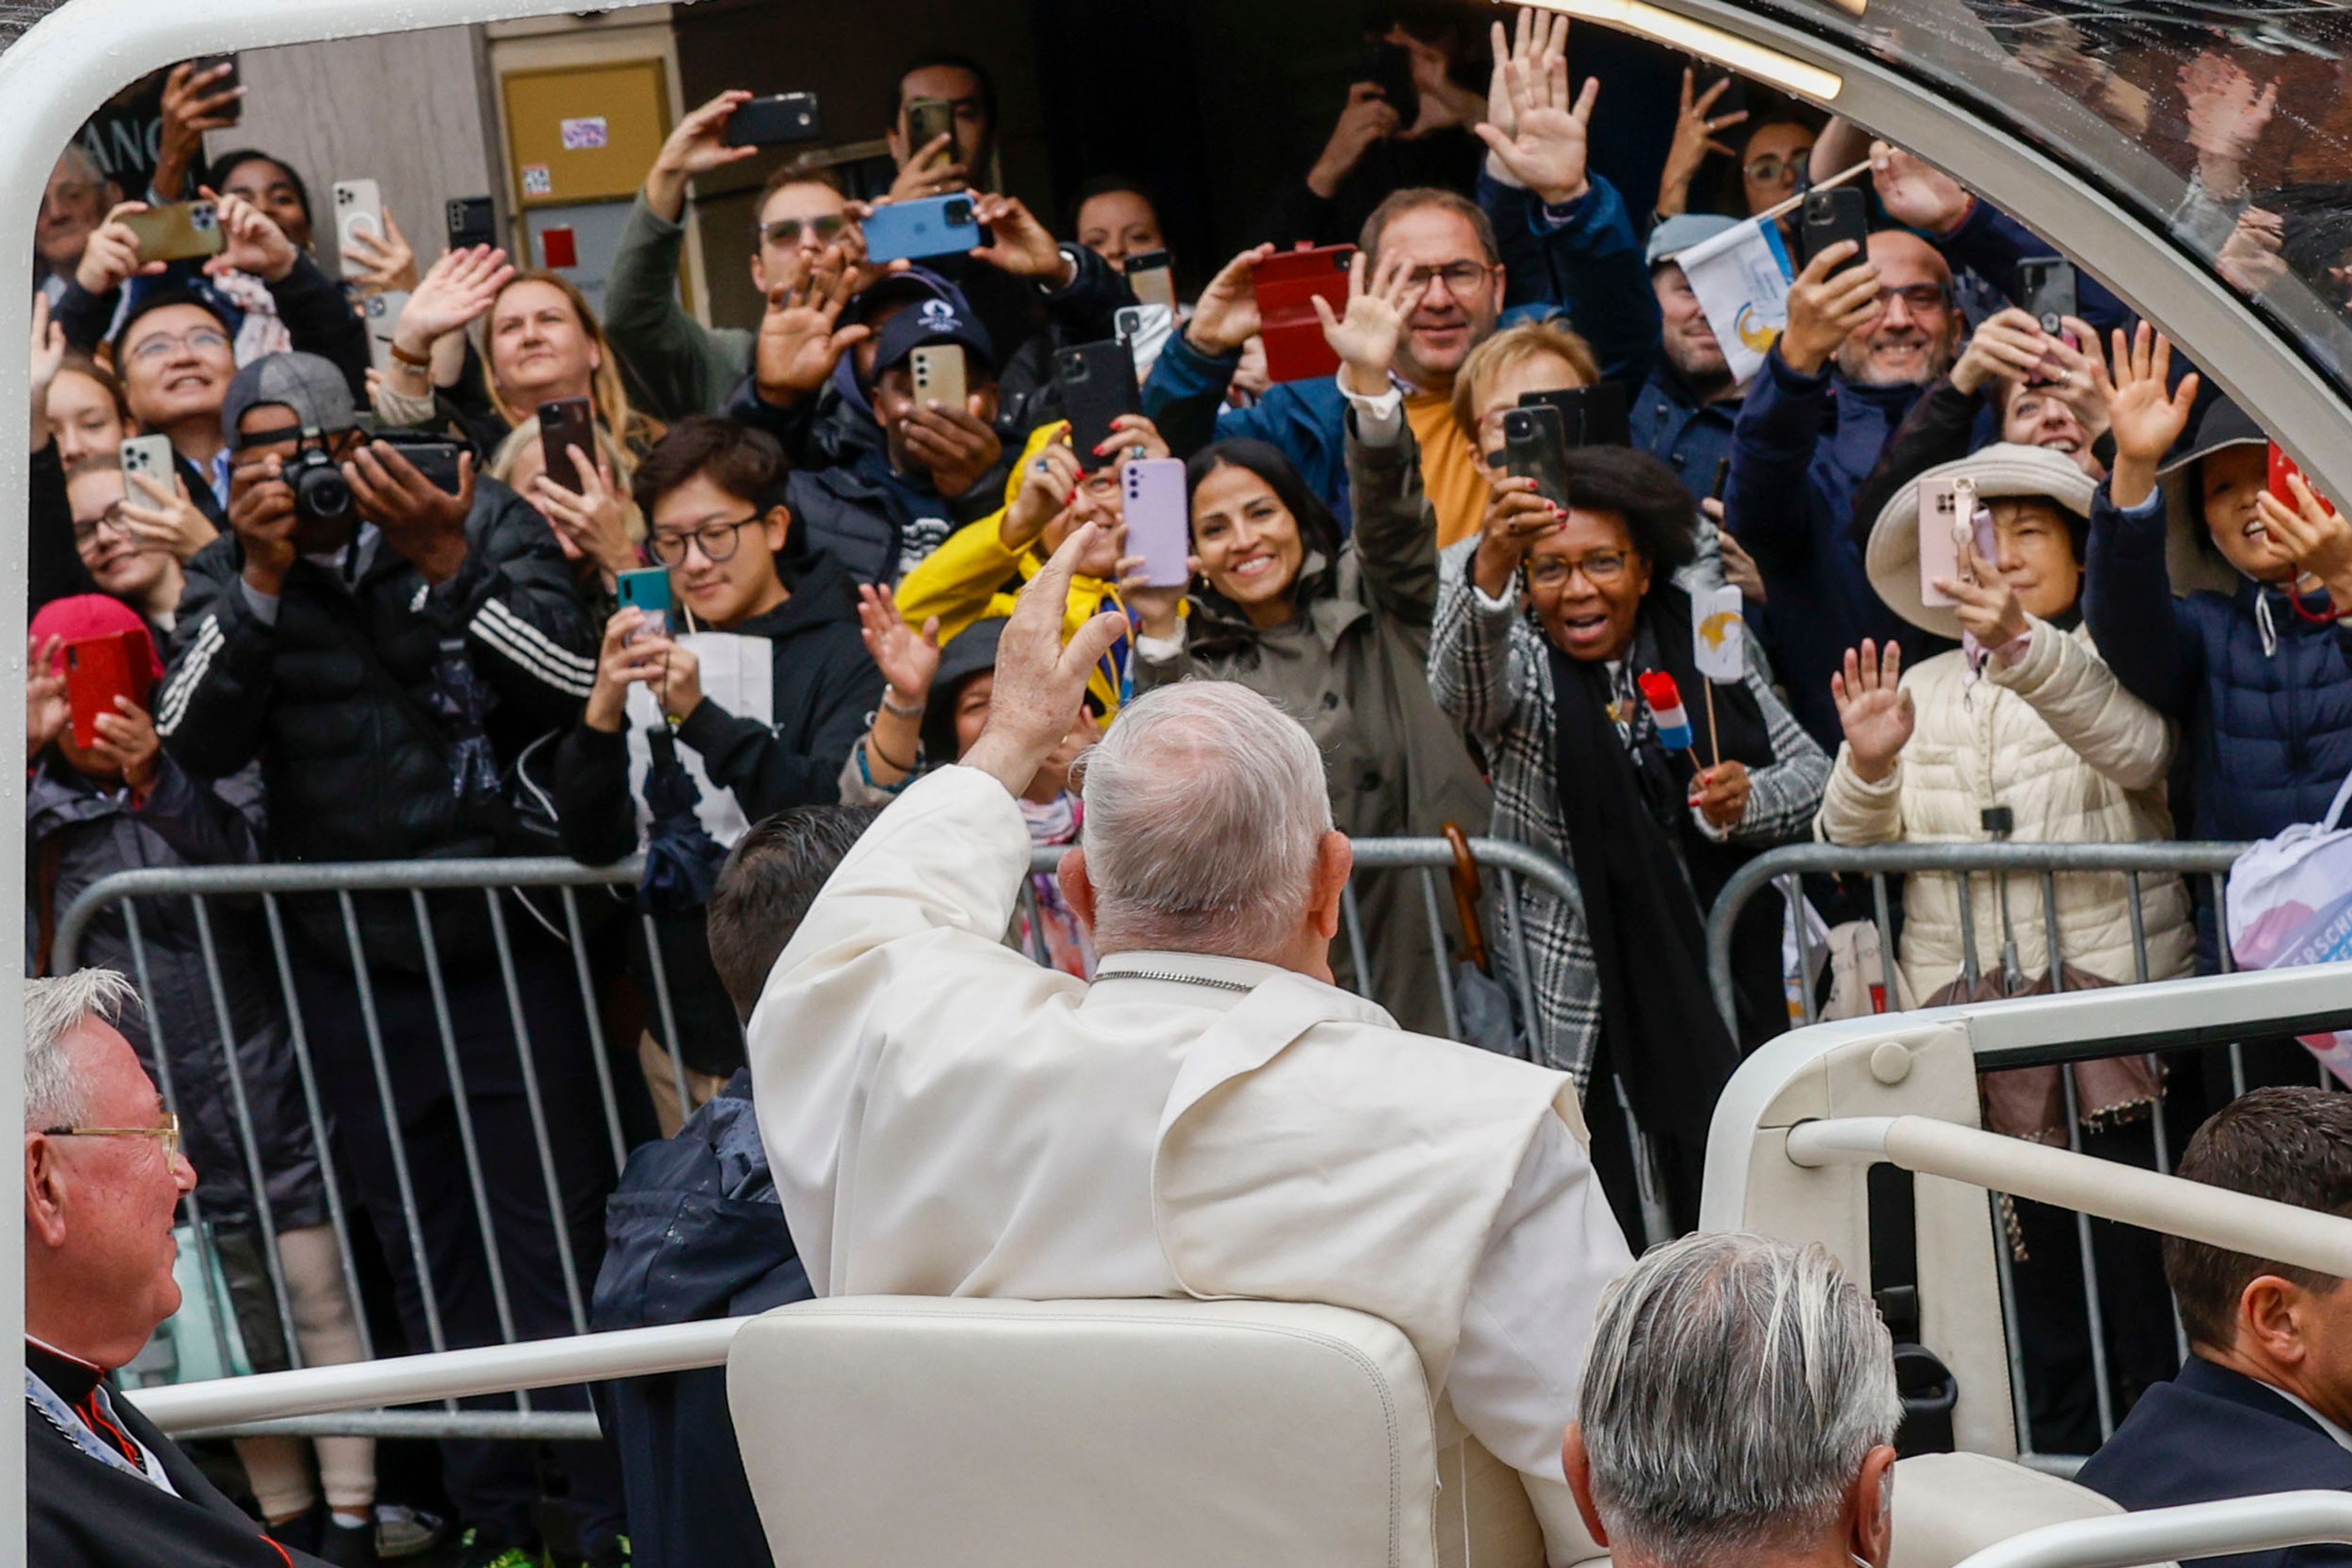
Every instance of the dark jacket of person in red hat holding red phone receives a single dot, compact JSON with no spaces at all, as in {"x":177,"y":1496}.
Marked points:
{"x":79,"y":833}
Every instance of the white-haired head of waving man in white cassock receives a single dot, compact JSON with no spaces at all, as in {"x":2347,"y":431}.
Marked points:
{"x":1205,"y":808}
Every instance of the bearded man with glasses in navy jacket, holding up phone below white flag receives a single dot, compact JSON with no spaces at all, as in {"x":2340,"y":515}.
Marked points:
{"x":1864,"y":337}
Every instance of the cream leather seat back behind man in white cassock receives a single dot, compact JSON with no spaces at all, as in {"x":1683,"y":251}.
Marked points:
{"x":907,"y":1433}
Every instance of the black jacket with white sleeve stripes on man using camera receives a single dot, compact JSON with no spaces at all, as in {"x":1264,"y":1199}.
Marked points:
{"x":354,"y":702}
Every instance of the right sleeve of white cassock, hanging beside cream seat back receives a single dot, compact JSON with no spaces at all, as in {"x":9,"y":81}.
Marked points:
{"x":1553,"y":1247}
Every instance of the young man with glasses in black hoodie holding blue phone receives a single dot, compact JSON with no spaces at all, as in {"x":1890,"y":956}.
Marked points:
{"x":735,"y":706}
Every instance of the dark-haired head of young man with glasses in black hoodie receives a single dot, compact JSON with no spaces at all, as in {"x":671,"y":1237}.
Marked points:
{"x":714,"y":514}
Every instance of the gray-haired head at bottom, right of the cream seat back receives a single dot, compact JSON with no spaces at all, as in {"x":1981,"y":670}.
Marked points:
{"x":1739,"y":1409}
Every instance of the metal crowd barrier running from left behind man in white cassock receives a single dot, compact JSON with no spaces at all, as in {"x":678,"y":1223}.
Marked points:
{"x":330,"y":892}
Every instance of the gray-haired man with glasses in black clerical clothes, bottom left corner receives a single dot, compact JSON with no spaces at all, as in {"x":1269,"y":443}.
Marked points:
{"x":102,"y":1186}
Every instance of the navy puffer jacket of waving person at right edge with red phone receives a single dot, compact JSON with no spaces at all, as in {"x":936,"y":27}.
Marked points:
{"x":2266,"y":721}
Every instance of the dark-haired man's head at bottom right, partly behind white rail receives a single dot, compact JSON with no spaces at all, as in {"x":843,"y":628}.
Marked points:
{"x":2269,"y":1320}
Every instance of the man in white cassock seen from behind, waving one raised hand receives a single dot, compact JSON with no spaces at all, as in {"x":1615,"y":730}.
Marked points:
{"x":1210,"y":1118}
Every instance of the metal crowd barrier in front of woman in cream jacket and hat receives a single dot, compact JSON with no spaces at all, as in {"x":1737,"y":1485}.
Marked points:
{"x":2038,"y":866}
